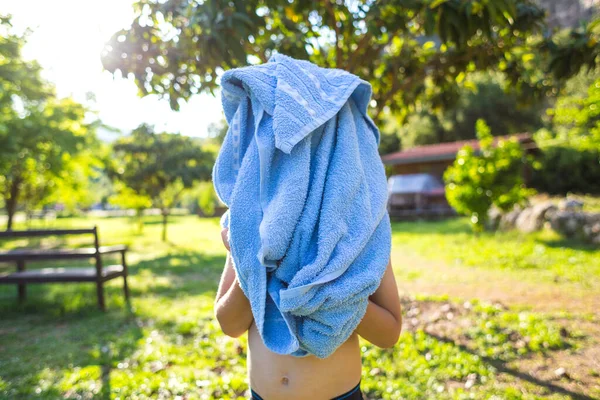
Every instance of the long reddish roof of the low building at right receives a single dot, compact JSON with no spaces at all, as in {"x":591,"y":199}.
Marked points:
{"x":444,"y":151}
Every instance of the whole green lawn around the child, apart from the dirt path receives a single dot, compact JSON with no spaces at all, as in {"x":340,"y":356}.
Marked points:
{"x":168,"y":344}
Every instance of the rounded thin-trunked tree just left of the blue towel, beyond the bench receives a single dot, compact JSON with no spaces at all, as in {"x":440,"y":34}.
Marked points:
{"x":160,"y":166}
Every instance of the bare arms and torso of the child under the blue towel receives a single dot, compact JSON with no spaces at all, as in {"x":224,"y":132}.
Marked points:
{"x":285,"y":377}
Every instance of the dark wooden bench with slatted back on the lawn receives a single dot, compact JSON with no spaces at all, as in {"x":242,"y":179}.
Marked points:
{"x":97,"y":274}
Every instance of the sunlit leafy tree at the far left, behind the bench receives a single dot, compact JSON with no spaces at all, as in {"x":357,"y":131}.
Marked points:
{"x":40,"y":153}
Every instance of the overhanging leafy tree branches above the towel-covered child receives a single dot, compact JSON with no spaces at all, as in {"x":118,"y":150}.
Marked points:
{"x":412,"y":52}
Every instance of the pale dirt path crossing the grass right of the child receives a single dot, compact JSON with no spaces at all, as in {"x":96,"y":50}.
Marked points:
{"x":416,"y":275}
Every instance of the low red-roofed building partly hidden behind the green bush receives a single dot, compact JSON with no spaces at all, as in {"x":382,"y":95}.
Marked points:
{"x":434,"y":159}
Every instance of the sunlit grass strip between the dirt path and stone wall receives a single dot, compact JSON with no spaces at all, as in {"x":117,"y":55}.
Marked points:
{"x":541,"y":256}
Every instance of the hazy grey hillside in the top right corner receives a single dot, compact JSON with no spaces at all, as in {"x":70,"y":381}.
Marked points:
{"x":569,"y":13}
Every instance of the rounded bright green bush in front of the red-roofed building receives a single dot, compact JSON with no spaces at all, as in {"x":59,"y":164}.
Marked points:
{"x":492,"y":176}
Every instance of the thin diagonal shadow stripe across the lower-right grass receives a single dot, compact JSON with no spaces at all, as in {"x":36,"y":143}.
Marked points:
{"x":503,"y":368}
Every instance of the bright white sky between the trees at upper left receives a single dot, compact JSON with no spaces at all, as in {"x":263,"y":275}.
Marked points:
{"x":67,"y":39}
